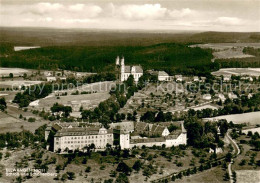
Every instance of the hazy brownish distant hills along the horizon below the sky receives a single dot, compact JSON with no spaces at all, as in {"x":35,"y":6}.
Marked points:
{"x":84,"y":37}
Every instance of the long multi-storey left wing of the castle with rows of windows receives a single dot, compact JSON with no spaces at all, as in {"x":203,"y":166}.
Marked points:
{"x":72,"y":137}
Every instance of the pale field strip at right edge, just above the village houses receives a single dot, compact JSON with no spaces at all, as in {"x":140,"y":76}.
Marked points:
{"x":238,"y":71}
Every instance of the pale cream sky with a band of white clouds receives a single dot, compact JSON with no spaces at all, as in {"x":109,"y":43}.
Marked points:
{"x":190,"y":15}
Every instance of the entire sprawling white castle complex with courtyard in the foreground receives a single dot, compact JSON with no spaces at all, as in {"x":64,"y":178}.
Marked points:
{"x":70,"y":136}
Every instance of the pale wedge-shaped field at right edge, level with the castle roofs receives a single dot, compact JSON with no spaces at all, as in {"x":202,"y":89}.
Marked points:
{"x":252,"y":117}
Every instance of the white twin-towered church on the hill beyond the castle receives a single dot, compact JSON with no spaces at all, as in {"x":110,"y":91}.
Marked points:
{"x":127,"y":70}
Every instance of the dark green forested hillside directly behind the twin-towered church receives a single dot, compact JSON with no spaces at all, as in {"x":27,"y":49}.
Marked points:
{"x":166,"y":56}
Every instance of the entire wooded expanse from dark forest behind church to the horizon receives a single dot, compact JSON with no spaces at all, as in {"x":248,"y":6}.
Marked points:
{"x":94,"y":51}
